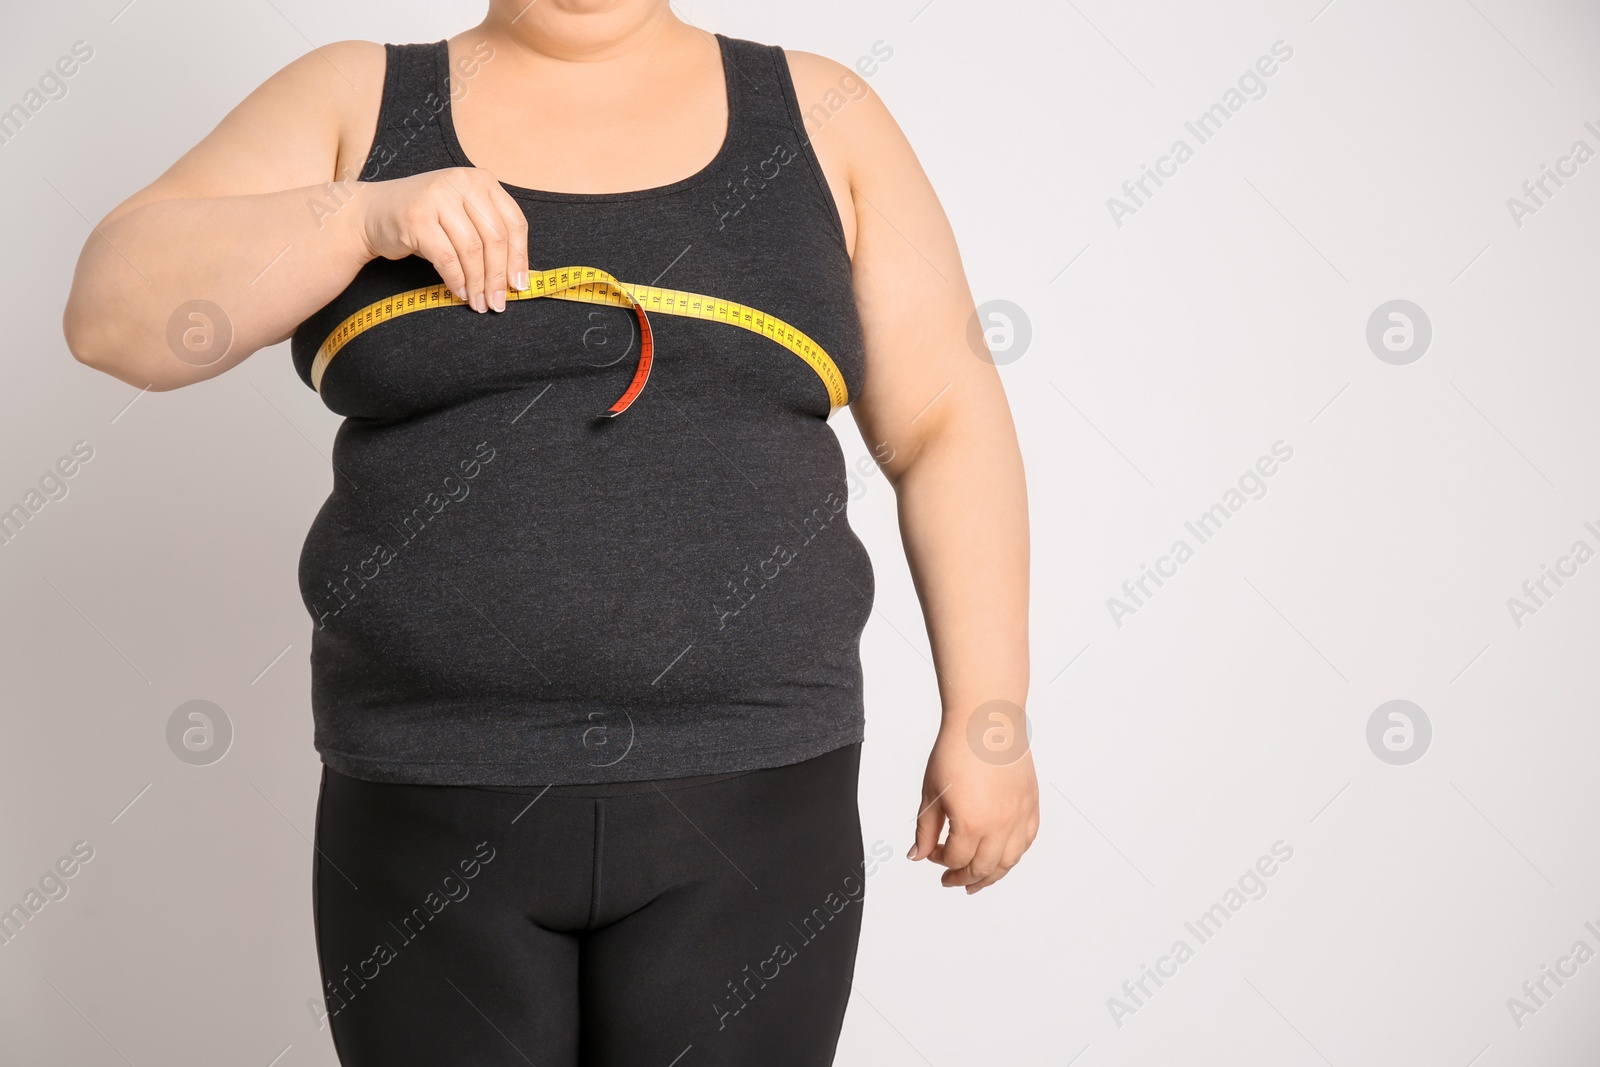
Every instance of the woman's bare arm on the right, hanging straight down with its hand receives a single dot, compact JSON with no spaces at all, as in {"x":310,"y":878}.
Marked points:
{"x":932,"y":409}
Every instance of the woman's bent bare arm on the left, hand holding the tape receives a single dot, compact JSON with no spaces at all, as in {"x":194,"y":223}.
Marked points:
{"x":266,"y":222}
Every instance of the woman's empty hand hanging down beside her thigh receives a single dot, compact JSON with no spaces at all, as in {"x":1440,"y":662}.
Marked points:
{"x":993,"y":812}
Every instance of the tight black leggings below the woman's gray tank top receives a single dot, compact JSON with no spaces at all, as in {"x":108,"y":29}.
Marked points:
{"x":686,"y":922}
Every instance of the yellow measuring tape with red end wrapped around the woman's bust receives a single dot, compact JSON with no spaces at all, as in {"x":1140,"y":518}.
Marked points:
{"x":591,"y":286}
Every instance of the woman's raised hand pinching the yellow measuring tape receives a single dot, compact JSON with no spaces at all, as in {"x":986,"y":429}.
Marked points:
{"x":462,"y":220}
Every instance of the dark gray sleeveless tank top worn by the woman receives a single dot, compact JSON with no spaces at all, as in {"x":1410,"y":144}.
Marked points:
{"x":511,"y":591}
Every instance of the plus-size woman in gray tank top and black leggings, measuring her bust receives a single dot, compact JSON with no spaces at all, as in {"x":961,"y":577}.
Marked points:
{"x":588,"y":690}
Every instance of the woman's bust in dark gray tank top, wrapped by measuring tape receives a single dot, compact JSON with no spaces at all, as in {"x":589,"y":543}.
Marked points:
{"x":742,"y":306}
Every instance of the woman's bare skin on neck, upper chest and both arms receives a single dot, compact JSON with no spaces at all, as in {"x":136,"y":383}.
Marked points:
{"x":929,"y":404}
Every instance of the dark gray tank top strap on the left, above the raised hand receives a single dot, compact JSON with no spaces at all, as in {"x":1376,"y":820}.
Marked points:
{"x":409,"y":138}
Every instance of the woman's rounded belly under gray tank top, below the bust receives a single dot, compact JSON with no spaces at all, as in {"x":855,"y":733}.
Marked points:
{"x":697,"y":549}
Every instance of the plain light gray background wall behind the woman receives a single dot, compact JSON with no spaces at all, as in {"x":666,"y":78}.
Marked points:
{"x":1167,"y":356}
